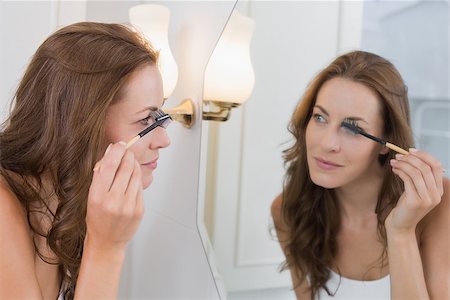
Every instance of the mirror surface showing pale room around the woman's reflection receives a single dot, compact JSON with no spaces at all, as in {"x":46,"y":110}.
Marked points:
{"x":242,"y":168}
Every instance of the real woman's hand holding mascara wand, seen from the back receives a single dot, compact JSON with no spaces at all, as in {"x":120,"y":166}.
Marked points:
{"x":115,"y":206}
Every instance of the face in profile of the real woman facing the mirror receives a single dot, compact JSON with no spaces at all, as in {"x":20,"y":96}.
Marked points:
{"x":141,"y":94}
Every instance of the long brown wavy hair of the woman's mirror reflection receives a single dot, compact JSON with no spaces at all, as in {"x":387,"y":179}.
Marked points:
{"x":311,"y":212}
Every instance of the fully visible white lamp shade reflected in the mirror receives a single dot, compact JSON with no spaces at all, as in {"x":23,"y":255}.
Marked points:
{"x":229,"y":75}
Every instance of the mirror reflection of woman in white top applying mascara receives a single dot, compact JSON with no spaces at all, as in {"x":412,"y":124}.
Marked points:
{"x":355,"y":219}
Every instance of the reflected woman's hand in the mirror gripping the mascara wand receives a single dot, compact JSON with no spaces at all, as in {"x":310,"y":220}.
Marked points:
{"x":422,"y":176}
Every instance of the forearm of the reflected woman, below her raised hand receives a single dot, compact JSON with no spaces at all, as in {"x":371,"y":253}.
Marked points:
{"x":405,"y":267}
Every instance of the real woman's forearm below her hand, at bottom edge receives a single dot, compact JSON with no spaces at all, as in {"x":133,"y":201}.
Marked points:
{"x":100,"y":271}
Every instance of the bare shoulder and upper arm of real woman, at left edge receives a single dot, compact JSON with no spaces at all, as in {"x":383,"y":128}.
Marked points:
{"x":16,"y":248}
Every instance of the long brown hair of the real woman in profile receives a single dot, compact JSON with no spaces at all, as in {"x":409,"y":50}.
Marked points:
{"x":56,"y":129}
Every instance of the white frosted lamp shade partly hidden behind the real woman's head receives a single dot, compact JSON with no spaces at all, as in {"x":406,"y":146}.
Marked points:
{"x":153,"y":22}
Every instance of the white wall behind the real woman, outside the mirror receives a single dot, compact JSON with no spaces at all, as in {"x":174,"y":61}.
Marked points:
{"x":166,"y":259}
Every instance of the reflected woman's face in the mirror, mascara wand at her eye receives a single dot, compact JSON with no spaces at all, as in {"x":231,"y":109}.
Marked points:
{"x":336,"y":157}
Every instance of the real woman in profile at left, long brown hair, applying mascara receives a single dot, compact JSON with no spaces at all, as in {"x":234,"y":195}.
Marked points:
{"x":65,"y":226}
